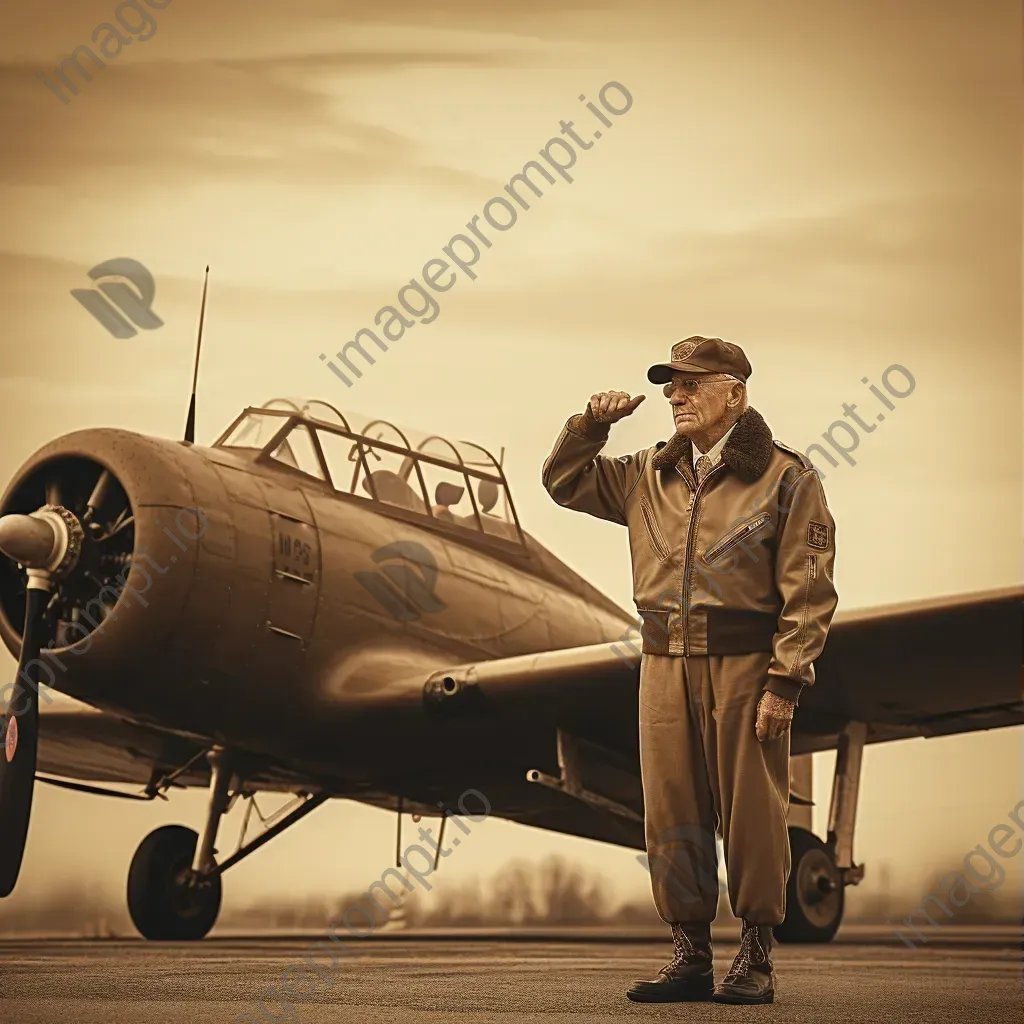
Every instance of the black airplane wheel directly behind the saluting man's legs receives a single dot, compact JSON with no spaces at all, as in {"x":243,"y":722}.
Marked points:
{"x":814,"y":894}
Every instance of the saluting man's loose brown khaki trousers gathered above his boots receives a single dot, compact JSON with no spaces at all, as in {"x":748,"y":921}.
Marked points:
{"x":704,"y":771}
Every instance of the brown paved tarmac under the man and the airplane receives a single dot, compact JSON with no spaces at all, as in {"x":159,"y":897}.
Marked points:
{"x":557,"y":977}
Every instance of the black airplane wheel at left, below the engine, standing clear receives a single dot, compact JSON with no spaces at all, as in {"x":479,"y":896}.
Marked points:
{"x":164,"y":901}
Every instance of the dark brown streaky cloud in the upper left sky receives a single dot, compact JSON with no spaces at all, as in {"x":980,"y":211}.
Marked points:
{"x":242,"y":120}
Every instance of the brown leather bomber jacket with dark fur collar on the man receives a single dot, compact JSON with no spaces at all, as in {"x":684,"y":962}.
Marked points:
{"x":755,"y":543}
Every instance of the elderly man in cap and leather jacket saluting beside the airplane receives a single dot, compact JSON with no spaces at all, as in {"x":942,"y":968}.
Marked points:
{"x":733,"y":549}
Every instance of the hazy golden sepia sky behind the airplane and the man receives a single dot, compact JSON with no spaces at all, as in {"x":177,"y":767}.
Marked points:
{"x":835,"y":187}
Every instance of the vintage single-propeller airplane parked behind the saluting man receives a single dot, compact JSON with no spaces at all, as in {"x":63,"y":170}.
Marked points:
{"x":337,"y":610}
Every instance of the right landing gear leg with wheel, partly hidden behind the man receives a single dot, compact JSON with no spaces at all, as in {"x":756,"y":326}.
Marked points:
{"x":815,"y":894}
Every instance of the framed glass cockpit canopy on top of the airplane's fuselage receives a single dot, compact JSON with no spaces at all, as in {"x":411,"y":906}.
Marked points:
{"x":454,"y":483}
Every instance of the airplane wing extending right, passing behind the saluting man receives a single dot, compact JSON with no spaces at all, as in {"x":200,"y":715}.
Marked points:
{"x":927,"y":668}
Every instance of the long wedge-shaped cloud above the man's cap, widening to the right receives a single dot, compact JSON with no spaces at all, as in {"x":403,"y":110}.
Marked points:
{"x":931,"y":263}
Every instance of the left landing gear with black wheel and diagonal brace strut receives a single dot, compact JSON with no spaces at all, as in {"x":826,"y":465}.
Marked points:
{"x":175,"y":887}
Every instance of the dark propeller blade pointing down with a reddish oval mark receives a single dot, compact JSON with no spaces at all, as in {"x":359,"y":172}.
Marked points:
{"x":18,"y":758}
